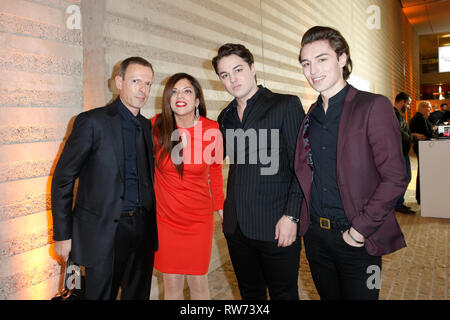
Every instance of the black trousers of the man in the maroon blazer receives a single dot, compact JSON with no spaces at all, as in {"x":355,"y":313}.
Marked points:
{"x":340,"y":271}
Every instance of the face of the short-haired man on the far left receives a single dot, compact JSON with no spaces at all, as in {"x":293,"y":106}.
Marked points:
{"x":135,"y":86}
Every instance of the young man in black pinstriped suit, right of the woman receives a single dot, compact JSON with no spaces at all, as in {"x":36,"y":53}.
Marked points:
{"x":263,"y":200}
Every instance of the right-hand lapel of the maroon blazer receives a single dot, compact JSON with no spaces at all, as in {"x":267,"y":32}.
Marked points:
{"x":345,"y":121}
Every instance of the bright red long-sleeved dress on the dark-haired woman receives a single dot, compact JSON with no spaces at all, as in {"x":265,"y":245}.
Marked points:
{"x":185,"y":205}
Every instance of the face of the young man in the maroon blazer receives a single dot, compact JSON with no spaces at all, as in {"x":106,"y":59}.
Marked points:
{"x":322,"y":68}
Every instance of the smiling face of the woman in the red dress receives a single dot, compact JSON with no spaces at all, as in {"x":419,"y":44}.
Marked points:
{"x":183,"y":99}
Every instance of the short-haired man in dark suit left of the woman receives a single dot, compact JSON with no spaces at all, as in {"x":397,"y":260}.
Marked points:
{"x":111,"y":229}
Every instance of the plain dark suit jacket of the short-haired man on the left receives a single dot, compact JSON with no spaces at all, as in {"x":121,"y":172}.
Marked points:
{"x":94,"y":154}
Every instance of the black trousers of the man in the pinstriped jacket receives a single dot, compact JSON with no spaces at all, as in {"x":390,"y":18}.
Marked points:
{"x":261,"y":264}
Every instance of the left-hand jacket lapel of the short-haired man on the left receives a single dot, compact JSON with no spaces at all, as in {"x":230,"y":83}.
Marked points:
{"x":115,"y":126}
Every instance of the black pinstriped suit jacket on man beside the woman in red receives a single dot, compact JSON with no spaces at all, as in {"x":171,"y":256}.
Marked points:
{"x":255,"y":200}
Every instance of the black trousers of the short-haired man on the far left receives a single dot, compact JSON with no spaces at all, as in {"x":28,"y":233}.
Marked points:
{"x":130,"y":266}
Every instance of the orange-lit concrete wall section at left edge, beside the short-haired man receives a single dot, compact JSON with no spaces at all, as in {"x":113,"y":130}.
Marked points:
{"x":41,"y":89}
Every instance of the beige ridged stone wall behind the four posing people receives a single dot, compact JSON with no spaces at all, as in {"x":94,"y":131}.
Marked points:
{"x":51,"y":73}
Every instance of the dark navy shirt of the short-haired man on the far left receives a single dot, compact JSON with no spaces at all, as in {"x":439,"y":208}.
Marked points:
{"x":131,"y":196}
